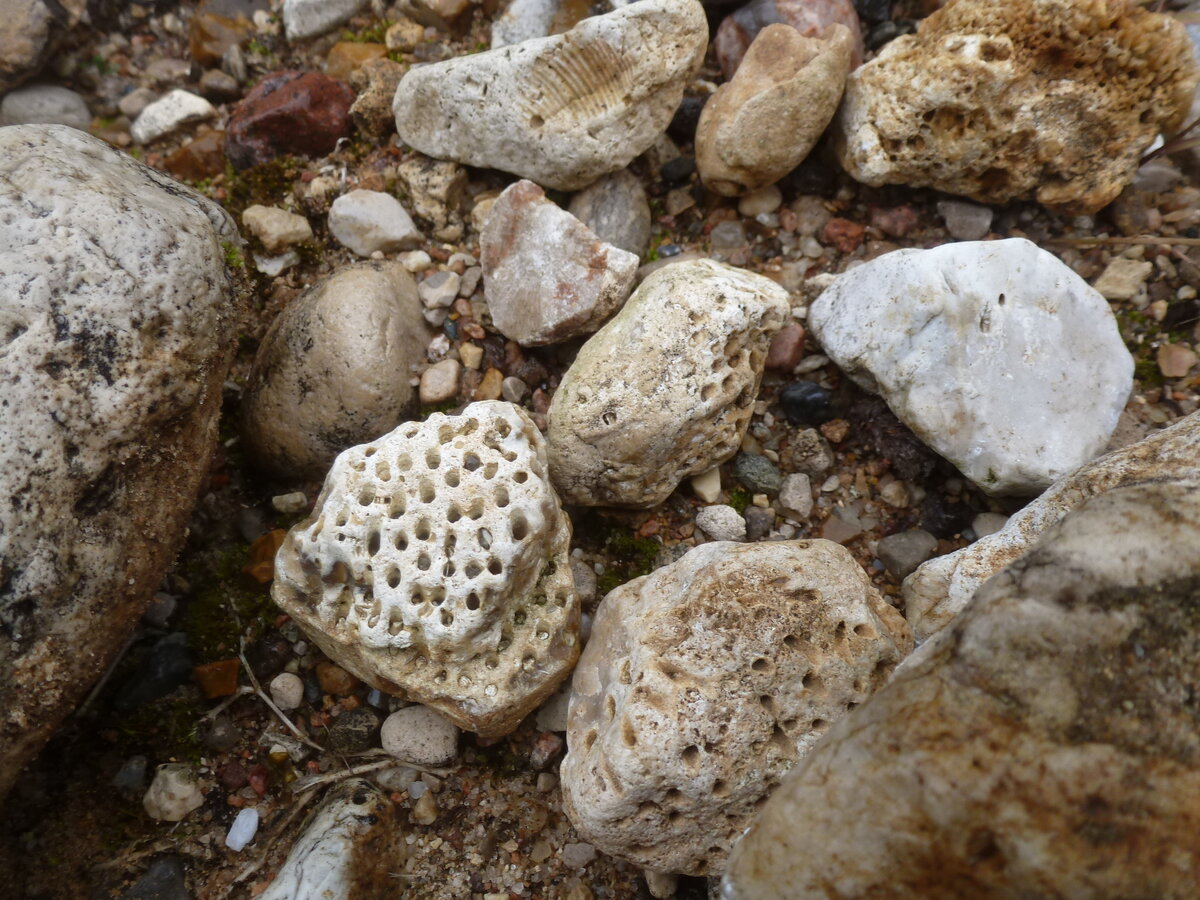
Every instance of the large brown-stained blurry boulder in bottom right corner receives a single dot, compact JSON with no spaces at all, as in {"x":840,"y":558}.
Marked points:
{"x":1059,"y":712}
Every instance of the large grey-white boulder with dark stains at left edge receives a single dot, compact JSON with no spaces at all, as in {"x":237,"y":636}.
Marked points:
{"x":113,"y":301}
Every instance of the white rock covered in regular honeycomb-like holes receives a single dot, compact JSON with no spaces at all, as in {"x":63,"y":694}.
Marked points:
{"x":436,"y":567}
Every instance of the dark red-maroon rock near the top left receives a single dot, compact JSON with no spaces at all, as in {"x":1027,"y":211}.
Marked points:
{"x":289,"y":112}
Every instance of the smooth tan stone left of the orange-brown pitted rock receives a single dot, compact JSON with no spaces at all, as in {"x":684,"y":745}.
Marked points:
{"x":763,"y":124}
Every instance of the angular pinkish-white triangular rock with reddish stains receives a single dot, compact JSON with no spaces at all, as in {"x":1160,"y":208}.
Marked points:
{"x":547,"y":275}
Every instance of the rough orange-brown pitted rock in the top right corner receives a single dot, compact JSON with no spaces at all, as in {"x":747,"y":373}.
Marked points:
{"x":1019,"y":101}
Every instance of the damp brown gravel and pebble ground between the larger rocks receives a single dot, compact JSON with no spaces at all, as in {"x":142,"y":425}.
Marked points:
{"x":191,"y":682}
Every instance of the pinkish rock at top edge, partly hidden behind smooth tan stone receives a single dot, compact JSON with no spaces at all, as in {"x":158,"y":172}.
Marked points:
{"x":811,"y":19}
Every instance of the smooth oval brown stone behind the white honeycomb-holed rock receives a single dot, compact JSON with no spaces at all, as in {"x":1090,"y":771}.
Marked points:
{"x":333,"y":369}
